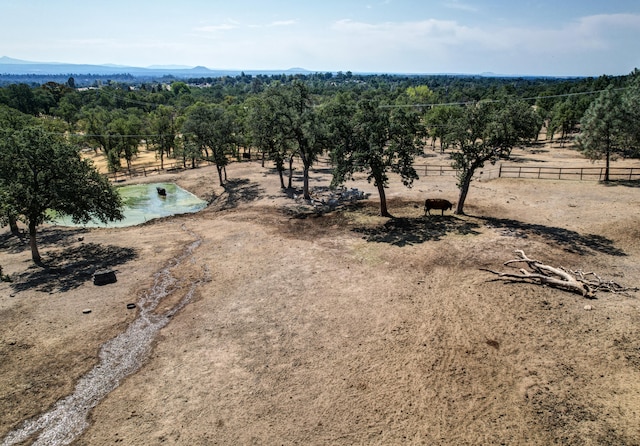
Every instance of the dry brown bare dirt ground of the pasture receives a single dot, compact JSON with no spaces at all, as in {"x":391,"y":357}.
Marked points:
{"x":343,"y":328}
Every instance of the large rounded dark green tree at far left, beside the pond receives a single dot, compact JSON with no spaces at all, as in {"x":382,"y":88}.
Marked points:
{"x":42,"y":173}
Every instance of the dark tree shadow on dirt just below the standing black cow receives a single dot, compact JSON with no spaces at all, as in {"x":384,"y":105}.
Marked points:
{"x":412,"y":231}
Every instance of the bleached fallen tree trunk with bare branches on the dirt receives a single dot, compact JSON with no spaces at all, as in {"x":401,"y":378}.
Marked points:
{"x":585,"y":284}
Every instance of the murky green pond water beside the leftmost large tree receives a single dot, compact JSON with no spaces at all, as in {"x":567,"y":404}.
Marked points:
{"x":143,"y":203}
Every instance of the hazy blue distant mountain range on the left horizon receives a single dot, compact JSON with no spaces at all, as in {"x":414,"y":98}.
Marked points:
{"x":10,"y":66}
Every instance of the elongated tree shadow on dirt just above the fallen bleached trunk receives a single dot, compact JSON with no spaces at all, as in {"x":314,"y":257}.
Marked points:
{"x":571,"y":241}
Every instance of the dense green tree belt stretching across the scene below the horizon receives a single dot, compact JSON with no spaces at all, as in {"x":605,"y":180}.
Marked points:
{"x":374,"y":124}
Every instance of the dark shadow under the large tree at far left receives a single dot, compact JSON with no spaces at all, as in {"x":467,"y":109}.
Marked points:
{"x":71,"y":267}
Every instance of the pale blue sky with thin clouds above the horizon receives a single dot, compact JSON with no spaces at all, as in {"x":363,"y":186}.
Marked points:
{"x":543,"y":37}
